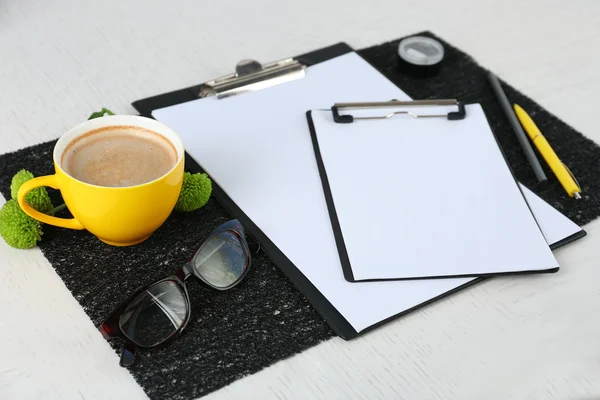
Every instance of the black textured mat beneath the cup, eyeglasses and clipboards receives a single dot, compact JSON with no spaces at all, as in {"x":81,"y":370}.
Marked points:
{"x":265,"y":319}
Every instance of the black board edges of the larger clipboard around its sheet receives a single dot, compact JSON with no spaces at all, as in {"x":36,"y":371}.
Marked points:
{"x":328,"y":312}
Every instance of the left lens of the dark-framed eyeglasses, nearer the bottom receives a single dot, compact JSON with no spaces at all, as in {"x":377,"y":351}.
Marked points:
{"x":155,"y":314}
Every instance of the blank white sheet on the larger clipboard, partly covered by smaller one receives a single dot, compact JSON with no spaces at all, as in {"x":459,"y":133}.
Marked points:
{"x":258,"y":149}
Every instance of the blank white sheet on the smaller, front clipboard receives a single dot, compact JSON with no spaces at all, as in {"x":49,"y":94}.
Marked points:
{"x":419,"y":198}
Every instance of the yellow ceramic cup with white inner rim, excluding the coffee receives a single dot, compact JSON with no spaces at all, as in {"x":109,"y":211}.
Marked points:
{"x":119,"y":216}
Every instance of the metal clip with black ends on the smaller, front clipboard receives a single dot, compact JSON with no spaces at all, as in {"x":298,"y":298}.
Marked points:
{"x":454,"y":115}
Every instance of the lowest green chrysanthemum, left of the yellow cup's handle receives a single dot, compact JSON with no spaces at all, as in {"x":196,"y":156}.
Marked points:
{"x":17,"y":228}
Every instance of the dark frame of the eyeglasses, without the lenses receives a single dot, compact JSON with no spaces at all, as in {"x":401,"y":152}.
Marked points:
{"x":111,"y":329}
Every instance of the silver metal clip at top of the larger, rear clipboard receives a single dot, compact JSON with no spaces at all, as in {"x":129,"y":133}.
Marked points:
{"x":250,"y":75}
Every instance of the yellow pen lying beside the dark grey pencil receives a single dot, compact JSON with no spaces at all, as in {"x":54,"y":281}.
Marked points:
{"x":561,"y":171}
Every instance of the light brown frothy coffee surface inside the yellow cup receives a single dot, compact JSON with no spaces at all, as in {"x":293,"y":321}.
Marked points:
{"x":119,"y":156}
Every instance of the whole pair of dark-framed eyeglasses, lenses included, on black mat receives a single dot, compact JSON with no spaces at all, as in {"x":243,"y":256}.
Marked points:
{"x":158,"y":312}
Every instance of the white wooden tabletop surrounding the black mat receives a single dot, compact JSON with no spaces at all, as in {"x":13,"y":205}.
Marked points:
{"x":508,"y":338}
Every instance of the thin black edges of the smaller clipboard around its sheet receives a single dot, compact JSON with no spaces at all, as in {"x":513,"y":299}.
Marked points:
{"x":339,"y":237}
